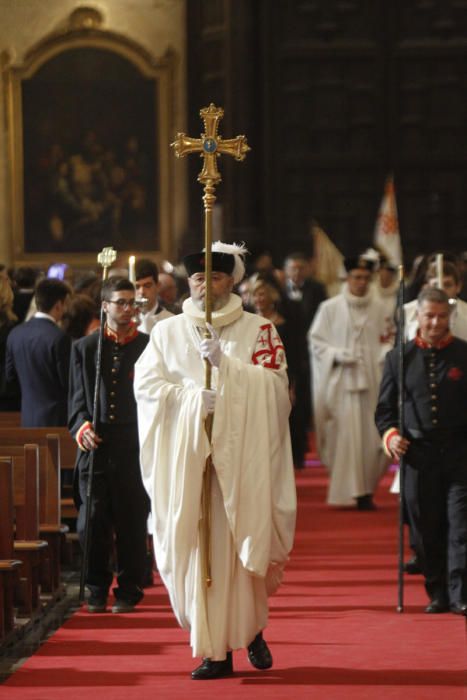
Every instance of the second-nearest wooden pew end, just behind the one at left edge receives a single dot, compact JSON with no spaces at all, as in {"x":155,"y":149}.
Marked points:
{"x":27,"y":546}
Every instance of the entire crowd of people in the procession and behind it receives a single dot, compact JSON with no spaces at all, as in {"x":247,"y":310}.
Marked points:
{"x":283,"y":358}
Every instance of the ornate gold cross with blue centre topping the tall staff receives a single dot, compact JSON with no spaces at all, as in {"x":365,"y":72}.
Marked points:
{"x":210,"y":145}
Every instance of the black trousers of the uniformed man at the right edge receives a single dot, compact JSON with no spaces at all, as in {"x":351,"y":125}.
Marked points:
{"x":436,"y":498}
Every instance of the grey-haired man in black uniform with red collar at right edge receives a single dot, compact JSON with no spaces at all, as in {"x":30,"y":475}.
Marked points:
{"x":435,"y":448}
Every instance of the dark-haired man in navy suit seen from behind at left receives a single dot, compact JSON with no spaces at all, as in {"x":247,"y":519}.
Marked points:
{"x":38,"y":357}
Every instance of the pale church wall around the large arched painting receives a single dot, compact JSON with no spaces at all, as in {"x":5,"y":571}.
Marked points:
{"x":155,"y":25}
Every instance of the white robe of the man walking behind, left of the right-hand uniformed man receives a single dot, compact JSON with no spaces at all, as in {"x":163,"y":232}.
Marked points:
{"x":348,"y":341}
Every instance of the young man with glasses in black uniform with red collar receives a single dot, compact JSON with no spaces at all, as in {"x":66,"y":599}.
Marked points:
{"x":120,"y":504}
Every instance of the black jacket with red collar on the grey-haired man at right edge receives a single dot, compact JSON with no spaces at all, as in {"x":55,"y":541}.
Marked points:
{"x":435,"y":390}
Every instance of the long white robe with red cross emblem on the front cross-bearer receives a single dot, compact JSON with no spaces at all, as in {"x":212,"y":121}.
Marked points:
{"x":253,"y":486}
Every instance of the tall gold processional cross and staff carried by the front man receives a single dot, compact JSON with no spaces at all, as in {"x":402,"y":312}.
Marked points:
{"x":209,"y":146}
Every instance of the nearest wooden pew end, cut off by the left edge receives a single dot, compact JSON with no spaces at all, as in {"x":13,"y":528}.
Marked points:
{"x":9,"y":566}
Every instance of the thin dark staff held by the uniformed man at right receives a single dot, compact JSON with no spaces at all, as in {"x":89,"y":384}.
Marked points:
{"x":400,"y":349}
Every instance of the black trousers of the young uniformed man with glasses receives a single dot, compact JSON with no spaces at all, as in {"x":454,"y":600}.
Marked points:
{"x":119,"y":512}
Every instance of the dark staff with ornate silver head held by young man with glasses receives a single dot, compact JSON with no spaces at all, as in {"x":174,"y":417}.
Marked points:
{"x":105,"y":258}
